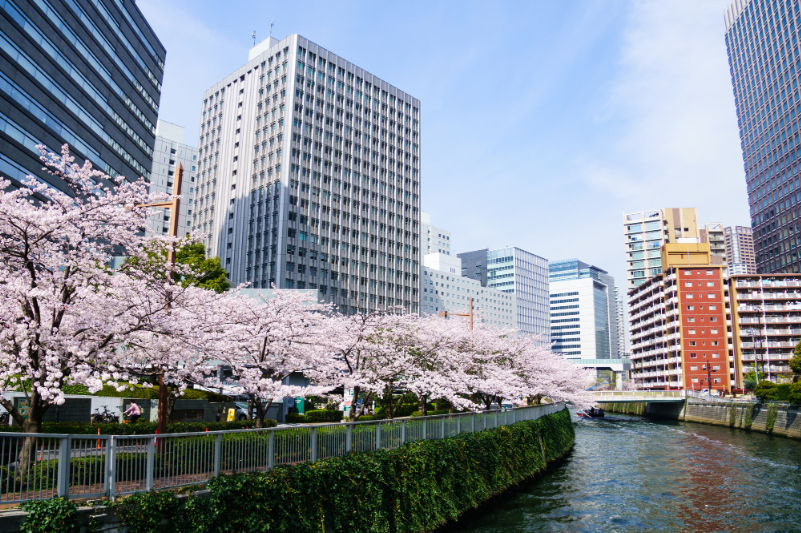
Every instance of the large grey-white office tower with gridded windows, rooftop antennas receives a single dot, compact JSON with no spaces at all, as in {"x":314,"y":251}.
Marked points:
{"x":310,"y":177}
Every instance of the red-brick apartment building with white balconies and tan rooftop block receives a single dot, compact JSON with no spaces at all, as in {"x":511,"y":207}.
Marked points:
{"x":679,"y":337}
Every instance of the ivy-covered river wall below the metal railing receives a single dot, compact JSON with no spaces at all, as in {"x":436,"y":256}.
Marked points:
{"x":415,"y":488}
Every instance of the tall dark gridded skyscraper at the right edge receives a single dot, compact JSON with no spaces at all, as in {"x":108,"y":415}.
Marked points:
{"x":765,"y":66}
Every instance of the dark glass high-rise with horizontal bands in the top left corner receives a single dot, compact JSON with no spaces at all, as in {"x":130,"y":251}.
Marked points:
{"x":85,"y":73}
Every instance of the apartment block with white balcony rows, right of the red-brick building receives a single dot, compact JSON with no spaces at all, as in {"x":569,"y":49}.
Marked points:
{"x":766,"y":323}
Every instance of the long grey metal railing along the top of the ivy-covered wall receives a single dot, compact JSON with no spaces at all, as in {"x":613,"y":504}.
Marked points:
{"x":40,"y":466}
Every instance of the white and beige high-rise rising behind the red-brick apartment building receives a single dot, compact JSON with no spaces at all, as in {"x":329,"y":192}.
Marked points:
{"x":646,"y":231}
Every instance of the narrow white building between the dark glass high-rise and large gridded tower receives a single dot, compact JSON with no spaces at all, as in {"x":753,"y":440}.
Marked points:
{"x":168,"y":151}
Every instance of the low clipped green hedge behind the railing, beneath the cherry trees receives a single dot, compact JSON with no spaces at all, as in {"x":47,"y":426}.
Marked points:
{"x":142,"y":428}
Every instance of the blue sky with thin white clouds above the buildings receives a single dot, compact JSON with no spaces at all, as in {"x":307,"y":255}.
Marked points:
{"x":542,"y":121}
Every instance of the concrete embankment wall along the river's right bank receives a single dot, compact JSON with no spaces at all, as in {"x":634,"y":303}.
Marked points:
{"x":767,"y":418}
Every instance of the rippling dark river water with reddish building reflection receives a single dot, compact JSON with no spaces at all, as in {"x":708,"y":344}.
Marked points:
{"x":631,"y":474}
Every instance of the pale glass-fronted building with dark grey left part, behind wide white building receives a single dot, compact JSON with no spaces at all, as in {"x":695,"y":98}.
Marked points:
{"x":518,"y":272}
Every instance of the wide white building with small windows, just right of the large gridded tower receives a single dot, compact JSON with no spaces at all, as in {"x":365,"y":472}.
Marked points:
{"x":445,"y":289}
